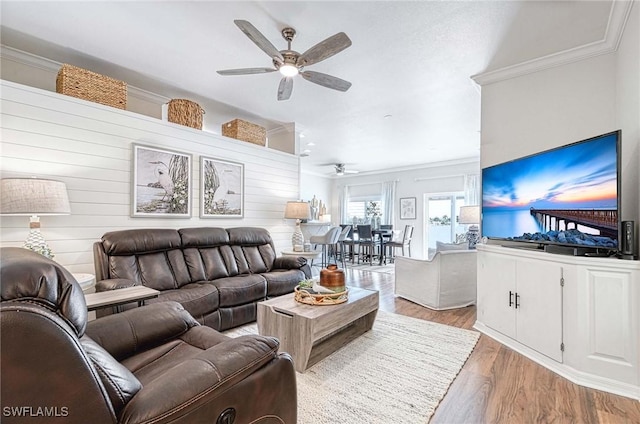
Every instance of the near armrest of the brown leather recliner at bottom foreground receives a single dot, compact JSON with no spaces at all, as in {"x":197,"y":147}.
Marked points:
{"x":191,"y":390}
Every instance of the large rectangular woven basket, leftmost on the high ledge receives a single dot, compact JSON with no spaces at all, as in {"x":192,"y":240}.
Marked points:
{"x":87,"y":85}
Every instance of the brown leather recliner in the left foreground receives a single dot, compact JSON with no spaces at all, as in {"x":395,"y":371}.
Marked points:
{"x":153,"y":364}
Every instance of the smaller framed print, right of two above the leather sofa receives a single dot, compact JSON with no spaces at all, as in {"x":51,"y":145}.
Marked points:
{"x":221,"y":188}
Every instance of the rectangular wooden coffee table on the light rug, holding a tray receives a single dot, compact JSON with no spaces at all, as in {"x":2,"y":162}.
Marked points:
{"x":310,"y":333}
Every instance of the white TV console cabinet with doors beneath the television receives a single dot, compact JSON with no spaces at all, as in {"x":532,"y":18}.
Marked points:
{"x":577,"y":316}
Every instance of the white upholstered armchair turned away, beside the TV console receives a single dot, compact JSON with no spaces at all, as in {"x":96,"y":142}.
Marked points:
{"x":446,"y":280}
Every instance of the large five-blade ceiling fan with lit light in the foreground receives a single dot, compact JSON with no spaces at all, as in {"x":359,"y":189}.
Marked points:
{"x":291,"y":63}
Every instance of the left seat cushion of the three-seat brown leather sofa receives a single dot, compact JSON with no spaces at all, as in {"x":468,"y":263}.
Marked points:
{"x":199,"y":299}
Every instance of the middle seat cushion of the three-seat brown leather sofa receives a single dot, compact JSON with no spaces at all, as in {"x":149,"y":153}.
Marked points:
{"x":241,"y":289}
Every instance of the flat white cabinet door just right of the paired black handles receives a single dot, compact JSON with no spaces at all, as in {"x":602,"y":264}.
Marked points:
{"x":539,"y":308}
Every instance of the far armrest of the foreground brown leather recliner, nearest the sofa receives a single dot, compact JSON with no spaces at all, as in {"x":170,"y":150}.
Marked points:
{"x":135,"y":330}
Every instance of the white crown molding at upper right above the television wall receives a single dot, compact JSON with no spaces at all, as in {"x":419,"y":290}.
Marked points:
{"x":620,"y":11}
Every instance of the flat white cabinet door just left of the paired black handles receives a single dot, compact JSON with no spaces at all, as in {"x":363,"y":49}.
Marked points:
{"x":496,"y":278}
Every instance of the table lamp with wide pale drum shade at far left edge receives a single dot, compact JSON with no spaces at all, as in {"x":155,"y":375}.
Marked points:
{"x":34,"y":197}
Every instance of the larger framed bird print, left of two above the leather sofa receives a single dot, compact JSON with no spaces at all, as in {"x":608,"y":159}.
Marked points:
{"x":161,"y":186}
